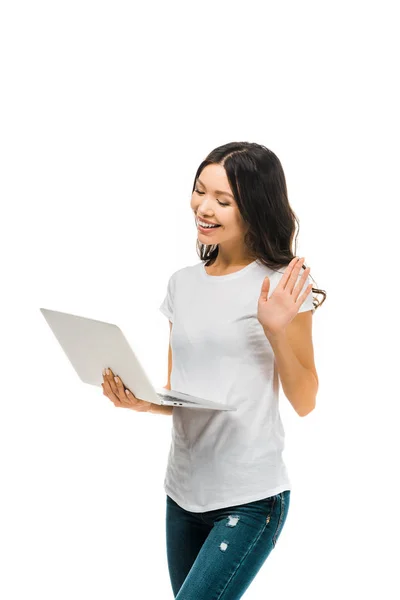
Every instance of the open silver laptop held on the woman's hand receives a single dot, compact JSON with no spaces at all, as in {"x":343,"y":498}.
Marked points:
{"x":92,"y":345}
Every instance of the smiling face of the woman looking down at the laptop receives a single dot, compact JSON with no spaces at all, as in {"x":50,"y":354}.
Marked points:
{"x":213,"y":201}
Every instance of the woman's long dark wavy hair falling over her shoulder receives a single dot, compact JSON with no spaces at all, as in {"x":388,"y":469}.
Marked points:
{"x":258,"y":183}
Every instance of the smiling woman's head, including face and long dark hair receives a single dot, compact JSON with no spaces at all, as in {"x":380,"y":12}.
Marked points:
{"x":257,"y":221}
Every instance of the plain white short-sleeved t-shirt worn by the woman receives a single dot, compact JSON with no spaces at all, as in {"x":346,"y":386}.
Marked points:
{"x":220,"y":352}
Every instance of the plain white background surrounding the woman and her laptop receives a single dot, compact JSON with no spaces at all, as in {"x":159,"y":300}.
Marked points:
{"x":107,"y":109}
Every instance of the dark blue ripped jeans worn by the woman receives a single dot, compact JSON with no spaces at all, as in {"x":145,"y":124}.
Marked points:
{"x":215,"y":555}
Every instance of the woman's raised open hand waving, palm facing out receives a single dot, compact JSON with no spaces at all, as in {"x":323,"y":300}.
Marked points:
{"x":276,"y":312}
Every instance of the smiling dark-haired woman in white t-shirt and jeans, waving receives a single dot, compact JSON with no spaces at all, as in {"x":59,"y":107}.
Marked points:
{"x":240,"y":321}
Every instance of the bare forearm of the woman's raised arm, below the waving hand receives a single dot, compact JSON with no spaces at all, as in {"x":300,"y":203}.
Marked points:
{"x":298,"y":383}
